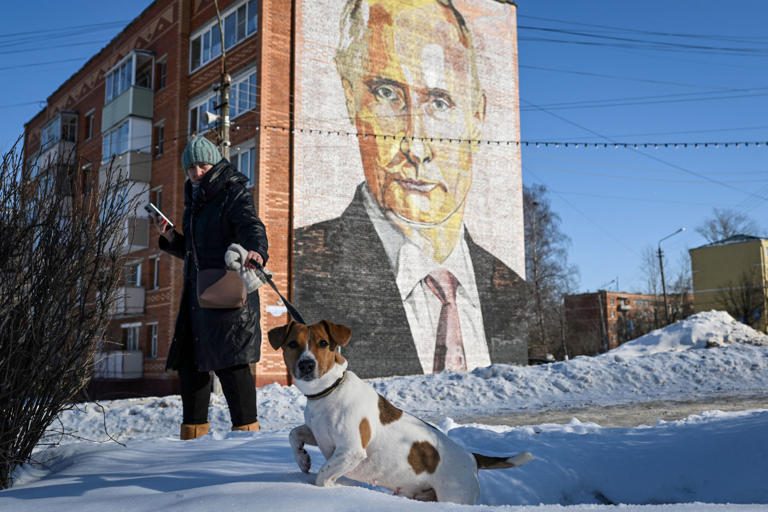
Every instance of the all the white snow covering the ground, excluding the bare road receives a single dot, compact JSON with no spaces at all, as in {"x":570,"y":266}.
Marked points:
{"x":714,"y":461}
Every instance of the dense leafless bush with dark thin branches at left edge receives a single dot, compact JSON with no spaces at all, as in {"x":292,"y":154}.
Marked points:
{"x":60,"y":259}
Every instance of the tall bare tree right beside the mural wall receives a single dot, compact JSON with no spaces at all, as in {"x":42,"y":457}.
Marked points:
{"x":548,"y":271}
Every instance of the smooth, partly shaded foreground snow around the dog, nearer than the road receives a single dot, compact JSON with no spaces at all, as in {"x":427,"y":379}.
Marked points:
{"x":716,"y":458}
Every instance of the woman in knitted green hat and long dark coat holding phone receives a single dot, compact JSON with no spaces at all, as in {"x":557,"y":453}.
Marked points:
{"x":219,"y":208}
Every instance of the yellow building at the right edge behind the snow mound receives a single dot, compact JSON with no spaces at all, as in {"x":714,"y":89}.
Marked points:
{"x":732,"y":275}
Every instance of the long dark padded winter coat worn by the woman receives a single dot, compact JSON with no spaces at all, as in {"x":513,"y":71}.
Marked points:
{"x":222,"y":214}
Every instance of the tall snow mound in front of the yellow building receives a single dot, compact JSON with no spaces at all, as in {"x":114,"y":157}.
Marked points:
{"x":697,"y":331}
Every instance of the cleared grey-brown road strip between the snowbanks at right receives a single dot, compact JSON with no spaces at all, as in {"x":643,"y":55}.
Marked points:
{"x":646,"y":413}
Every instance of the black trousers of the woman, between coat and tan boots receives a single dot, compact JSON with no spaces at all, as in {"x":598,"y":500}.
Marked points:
{"x":239,"y":390}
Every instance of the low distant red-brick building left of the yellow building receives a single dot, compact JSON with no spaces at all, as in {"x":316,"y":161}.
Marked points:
{"x":600,"y":321}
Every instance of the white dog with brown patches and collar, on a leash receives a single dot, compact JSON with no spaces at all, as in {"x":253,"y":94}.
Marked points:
{"x":362,"y":435}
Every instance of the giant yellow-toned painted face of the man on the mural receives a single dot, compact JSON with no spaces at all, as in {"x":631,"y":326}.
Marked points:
{"x":415,"y":80}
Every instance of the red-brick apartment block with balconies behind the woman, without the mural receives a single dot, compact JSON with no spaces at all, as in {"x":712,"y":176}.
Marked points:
{"x":138,"y":100}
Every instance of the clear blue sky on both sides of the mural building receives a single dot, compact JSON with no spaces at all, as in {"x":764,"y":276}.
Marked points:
{"x":590,"y":71}
